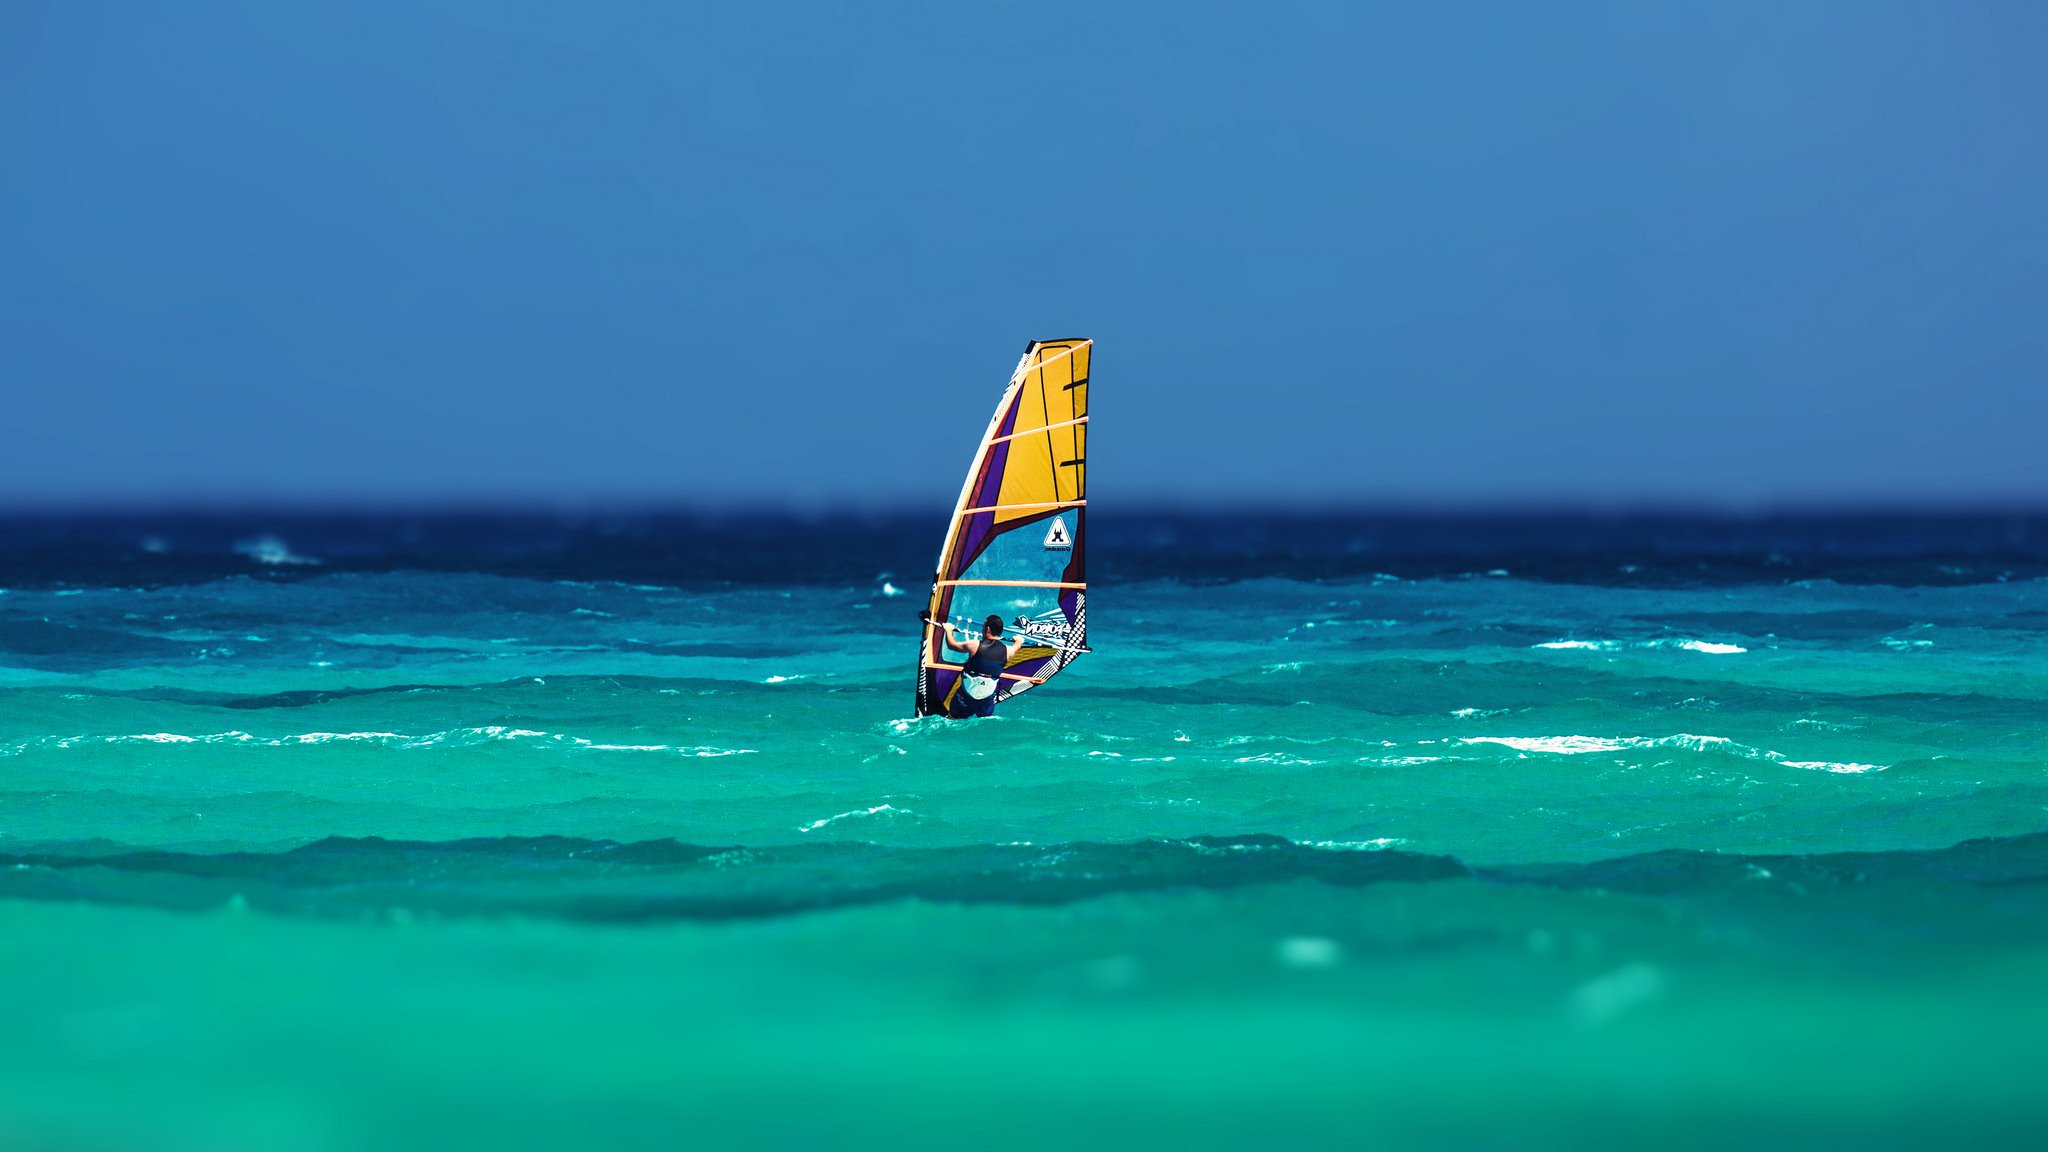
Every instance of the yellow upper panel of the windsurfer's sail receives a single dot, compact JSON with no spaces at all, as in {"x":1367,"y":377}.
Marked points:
{"x":1048,"y":468}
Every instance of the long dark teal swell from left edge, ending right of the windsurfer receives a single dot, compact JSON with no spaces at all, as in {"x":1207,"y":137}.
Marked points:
{"x":669,"y":880}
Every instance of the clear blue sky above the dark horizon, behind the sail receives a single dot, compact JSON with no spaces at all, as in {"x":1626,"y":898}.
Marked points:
{"x":787,"y":253}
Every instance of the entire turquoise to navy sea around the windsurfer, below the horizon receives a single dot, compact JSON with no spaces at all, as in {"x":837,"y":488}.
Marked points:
{"x":1478,"y":831}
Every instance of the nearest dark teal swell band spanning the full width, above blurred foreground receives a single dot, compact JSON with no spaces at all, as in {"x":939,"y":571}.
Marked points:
{"x":667,"y":880}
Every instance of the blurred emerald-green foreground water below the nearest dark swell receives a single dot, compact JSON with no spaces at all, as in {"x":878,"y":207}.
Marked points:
{"x":1445,"y":1018}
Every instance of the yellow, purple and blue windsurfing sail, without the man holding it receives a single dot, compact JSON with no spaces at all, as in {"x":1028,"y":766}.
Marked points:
{"x":1017,"y":538}
